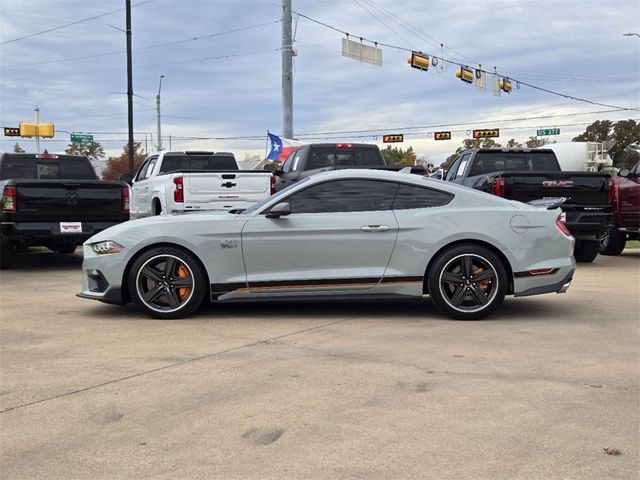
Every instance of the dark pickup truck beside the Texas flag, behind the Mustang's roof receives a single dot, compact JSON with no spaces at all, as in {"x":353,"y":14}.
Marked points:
{"x":319,"y":157}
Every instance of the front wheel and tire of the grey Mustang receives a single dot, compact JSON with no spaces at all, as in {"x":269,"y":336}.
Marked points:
{"x":167,"y":282}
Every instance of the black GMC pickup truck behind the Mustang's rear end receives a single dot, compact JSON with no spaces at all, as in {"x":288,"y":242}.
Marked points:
{"x":529,"y":175}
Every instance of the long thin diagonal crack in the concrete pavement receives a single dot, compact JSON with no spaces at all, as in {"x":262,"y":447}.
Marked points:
{"x":165,"y":367}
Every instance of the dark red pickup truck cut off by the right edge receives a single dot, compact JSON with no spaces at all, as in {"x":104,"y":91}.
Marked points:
{"x":624,"y":196}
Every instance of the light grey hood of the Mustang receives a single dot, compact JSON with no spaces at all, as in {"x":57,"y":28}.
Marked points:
{"x":166,"y":226}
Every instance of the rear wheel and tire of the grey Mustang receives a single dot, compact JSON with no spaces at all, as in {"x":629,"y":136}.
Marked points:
{"x":454,"y":290}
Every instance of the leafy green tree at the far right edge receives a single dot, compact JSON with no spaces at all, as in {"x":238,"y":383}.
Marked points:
{"x":622,"y":139}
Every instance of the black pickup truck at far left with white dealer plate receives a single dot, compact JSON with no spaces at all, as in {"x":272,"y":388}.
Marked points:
{"x":56,"y":201}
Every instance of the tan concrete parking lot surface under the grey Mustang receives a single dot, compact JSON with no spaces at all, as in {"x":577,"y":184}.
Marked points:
{"x":363,"y":391}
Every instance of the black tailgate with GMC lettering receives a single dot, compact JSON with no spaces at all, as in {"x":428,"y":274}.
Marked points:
{"x":583,"y":188}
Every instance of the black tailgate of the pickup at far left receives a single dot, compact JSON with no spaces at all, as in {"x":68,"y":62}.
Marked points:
{"x":73,"y":200}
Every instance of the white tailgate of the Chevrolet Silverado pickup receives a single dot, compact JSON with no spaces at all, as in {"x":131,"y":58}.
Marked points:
{"x":239,"y":186}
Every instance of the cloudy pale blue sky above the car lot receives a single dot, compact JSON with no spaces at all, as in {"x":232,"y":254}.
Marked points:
{"x":221,"y":62}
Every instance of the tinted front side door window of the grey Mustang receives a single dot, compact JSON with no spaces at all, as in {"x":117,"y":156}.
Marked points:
{"x":344,"y":196}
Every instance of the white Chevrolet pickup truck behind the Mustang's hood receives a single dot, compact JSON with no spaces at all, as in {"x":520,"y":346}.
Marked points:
{"x":173,"y":182}
